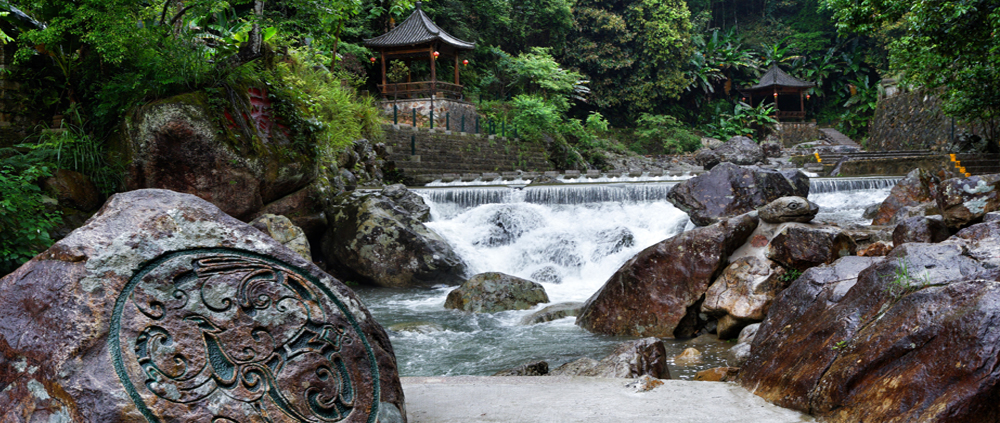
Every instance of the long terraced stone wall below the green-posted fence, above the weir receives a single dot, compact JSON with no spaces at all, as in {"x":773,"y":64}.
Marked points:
{"x":447,"y":152}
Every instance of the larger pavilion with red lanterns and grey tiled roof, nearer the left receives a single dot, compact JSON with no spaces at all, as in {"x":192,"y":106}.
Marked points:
{"x":418,"y":38}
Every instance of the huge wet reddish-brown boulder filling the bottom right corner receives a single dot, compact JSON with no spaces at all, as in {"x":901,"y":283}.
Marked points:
{"x":912,"y":338}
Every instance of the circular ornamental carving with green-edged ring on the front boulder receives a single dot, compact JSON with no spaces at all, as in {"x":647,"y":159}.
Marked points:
{"x":219,"y":335}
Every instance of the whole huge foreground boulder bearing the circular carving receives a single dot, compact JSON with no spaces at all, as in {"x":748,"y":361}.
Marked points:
{"x":163,"y":308}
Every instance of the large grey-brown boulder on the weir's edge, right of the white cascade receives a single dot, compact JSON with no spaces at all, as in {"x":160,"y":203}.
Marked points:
{"x":730,"y":190}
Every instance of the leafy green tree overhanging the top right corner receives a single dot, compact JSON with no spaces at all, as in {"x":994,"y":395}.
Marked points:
{"x":949,"y":46}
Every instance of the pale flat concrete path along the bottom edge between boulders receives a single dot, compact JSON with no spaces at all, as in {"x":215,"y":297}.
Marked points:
{"x":561,"y":399}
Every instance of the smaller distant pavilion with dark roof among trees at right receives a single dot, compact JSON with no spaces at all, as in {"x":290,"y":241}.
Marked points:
{"x":786,"y":92}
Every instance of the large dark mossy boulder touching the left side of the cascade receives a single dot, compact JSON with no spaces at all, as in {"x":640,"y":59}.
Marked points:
{"x":372,"y":238}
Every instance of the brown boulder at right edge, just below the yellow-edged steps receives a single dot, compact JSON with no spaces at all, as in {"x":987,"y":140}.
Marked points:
{"x":964,"y":201}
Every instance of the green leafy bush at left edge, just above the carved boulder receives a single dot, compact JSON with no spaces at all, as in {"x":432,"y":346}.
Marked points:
{"x":25,"y":222}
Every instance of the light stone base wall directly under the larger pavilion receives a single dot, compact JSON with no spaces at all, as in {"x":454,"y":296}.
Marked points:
{"x":448,"y":113}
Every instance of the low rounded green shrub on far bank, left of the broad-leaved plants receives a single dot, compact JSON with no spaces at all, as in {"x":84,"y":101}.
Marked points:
{"x":663,"y":134}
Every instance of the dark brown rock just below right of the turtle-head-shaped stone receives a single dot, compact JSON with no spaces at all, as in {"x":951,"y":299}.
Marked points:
{"x":801,"y":247}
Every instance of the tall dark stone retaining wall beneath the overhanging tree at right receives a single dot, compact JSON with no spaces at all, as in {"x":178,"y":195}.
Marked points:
{"x":914,"y":121}
